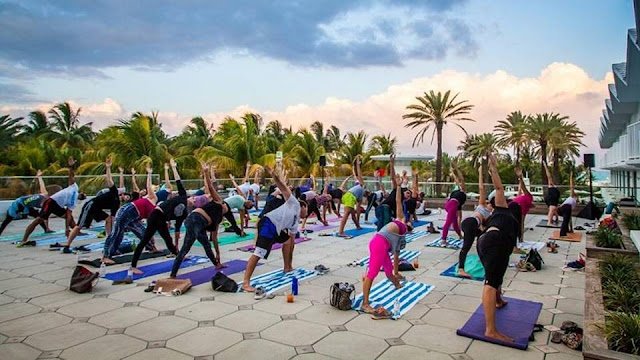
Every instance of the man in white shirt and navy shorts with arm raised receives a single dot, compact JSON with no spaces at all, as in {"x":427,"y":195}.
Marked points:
{"x":279,"y":225}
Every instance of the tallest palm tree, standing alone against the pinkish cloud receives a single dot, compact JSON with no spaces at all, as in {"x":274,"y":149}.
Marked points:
{"x":436,"y":110}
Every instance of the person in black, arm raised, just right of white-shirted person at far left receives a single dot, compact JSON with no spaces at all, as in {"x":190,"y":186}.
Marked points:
{"x":94,"y":209}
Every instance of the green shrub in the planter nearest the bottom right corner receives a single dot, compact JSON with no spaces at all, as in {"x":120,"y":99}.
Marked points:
{"x":623,"y":332}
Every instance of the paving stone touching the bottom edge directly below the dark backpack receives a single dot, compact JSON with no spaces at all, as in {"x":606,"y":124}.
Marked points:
{"x":351,"y":345}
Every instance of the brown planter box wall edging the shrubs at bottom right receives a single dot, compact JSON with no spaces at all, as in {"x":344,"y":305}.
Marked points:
{"x":594,"y":343}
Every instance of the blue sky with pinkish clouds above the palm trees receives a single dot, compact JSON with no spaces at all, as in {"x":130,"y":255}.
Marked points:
{"x":355,"y":64}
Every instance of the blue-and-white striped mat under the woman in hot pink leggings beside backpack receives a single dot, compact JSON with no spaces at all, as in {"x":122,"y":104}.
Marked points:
{"x":385,"y":294}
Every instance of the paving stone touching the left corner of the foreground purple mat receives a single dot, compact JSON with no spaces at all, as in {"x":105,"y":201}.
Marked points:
{"x":436,"y":338}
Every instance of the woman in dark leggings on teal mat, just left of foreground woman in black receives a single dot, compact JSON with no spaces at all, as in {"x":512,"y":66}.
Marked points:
{"x":473,"y":225}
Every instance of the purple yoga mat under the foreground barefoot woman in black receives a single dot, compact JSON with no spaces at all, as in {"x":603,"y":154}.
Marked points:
{"x":515,"y":320}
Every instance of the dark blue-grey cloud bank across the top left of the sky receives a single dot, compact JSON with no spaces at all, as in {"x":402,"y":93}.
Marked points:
{"x":81,"y":38}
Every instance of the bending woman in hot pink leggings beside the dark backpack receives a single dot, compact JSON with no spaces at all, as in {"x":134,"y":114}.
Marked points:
{"x":390,"y":239}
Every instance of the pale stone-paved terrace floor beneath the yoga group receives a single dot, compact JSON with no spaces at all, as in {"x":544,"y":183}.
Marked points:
{"x":41,"y":319}
